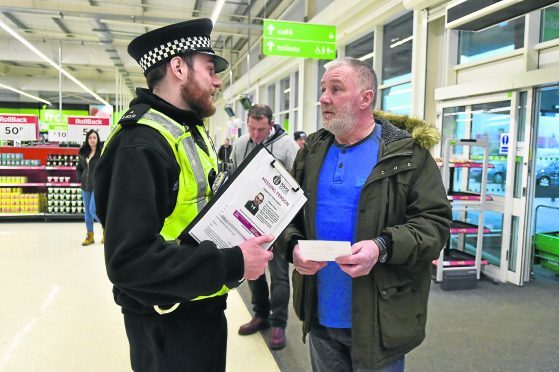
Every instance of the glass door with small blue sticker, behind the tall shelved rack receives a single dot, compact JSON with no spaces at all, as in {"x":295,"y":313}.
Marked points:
{"x":488,"y":120}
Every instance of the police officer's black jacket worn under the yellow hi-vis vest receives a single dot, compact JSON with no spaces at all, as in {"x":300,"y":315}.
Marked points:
{"x":136,"y":189}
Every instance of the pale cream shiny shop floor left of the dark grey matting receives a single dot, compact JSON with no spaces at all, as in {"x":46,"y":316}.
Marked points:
{"x":57,"y":308}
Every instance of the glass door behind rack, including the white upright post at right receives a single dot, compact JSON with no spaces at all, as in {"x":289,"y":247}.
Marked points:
{"x":503,"y":121}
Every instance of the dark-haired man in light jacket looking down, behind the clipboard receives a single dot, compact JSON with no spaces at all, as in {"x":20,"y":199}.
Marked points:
{"x":262,"y":130}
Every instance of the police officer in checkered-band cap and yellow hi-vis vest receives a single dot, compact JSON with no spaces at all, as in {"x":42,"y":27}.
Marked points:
{"x":153,"y":178}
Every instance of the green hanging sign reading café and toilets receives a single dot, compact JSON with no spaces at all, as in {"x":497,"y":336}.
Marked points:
{"x":294,"y":39}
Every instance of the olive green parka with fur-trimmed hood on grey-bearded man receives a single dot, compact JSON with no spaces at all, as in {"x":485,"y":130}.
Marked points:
{"x":403,"y":198}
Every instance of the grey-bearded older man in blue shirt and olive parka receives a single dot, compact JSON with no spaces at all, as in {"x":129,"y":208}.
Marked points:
{"x":371,"y":184}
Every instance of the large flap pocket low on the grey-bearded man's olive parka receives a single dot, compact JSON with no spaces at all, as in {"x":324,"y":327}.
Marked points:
{"x":400,"y":315}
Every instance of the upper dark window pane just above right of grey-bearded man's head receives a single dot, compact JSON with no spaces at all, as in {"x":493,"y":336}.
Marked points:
{"x":397,"y":50}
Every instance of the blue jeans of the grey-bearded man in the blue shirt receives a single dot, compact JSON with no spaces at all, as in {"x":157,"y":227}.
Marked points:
{"x":331,"y":351}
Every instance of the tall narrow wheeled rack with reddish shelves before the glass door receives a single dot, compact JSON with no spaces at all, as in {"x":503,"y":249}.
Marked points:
{"x":456,"y":260}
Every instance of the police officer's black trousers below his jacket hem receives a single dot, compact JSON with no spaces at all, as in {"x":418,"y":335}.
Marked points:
{"x":170,"y":343}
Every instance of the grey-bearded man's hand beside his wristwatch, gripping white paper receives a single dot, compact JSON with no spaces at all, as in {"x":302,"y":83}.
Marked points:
{"x":364,"y":255}
